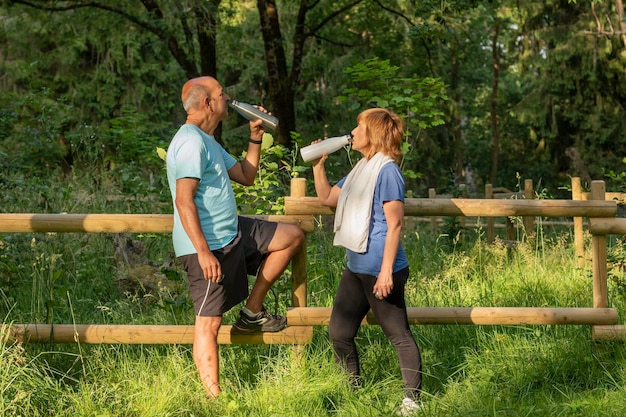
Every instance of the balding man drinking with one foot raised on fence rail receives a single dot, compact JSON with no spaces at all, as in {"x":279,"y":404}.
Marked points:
{"x":217,"y":247}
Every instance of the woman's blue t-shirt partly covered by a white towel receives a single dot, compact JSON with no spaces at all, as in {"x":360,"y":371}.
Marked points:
{"x":389,"y":187}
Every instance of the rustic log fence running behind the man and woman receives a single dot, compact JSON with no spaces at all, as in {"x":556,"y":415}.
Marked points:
{"x":302,"y":210}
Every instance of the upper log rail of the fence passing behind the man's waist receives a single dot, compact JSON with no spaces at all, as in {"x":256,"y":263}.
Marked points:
{"x":112,"y":223}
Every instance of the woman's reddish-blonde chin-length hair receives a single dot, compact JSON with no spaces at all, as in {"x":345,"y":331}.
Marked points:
{"x":385,"y":130}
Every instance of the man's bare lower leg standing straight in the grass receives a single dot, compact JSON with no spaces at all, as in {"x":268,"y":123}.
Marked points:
{"x":206,"y":353}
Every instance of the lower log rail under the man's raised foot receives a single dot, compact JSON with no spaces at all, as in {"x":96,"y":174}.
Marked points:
{"x":144,"y":334}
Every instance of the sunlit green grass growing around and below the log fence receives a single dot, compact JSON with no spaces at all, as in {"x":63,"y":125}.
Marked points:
{"x":468,"y":370}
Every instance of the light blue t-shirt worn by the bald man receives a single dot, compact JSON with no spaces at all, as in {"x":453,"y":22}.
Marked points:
{"x":194,"y":154}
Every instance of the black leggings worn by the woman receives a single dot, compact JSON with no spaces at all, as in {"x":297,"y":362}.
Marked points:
{"x":353,"y":300}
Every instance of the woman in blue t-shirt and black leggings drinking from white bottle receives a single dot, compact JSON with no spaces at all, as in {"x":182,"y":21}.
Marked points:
{"x":369,"y":205}
